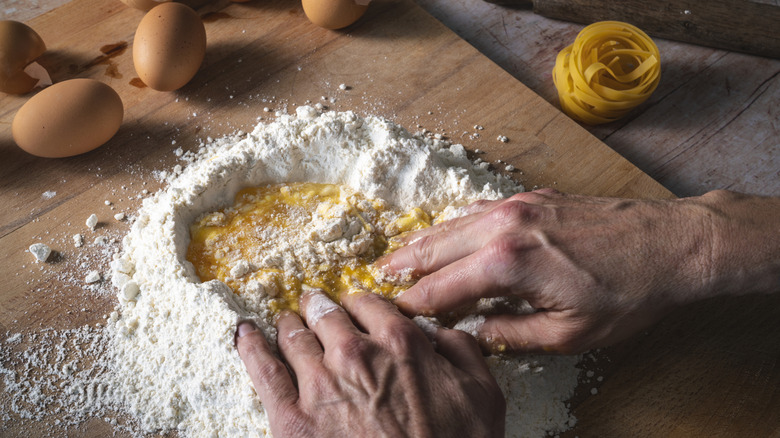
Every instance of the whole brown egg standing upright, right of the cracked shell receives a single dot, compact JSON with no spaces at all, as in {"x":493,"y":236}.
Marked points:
{"x":169,"y":46}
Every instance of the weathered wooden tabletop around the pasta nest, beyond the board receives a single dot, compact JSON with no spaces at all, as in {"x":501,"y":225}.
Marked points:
{"x":713,"y":123}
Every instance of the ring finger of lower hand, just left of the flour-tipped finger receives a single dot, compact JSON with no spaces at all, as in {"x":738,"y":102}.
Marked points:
{"x":299,"y":346}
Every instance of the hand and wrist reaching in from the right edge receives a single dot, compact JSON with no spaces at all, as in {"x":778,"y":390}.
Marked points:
{"x":596,"y":269}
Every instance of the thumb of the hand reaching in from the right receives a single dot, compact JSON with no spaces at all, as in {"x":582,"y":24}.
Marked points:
{"x":541,"y":332}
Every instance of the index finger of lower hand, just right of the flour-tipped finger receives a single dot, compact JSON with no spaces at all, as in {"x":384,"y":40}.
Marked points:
{"x":373,"y":312}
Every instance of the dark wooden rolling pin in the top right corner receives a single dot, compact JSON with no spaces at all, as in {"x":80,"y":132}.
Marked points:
{"x":739,"y":25}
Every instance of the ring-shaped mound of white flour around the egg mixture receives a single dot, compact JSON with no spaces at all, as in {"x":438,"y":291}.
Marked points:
{"x":174,"y":365}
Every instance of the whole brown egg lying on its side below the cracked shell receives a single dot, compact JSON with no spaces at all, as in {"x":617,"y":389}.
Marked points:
{"x":68,"y":118}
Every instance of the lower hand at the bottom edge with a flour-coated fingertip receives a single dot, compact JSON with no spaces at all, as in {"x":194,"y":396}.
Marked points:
{"x":376,"y":376}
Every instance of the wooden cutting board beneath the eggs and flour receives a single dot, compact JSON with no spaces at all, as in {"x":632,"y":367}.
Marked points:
{"x":400,"y":63}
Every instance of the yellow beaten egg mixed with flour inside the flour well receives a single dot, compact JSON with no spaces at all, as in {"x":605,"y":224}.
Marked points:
{"x":277,"y":239}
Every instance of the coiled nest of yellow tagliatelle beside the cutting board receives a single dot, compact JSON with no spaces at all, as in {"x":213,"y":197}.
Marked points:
{"x":609,"y":69}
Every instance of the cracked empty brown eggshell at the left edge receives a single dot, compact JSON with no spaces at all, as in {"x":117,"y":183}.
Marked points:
{"x":20,"y":45}
